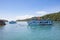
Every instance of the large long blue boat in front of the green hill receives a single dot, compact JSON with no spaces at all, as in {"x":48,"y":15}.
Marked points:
{"x":40,"y":22}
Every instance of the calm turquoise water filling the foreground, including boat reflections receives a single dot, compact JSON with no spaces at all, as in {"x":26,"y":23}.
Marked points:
{"x":22,"y":31}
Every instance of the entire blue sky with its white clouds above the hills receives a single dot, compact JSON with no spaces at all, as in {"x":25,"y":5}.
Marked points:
{"x":21,"y":9}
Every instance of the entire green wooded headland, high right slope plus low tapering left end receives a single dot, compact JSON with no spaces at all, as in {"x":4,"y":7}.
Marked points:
{"x":52,"y":16}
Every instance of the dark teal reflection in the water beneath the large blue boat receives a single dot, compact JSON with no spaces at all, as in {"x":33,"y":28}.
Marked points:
{"x":39,"y":28}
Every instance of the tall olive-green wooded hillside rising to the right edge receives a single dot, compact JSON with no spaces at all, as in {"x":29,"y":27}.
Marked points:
{"x":53,"y":16}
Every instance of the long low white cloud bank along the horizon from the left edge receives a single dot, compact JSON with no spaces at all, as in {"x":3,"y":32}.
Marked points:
{"x":17,"y":17}
